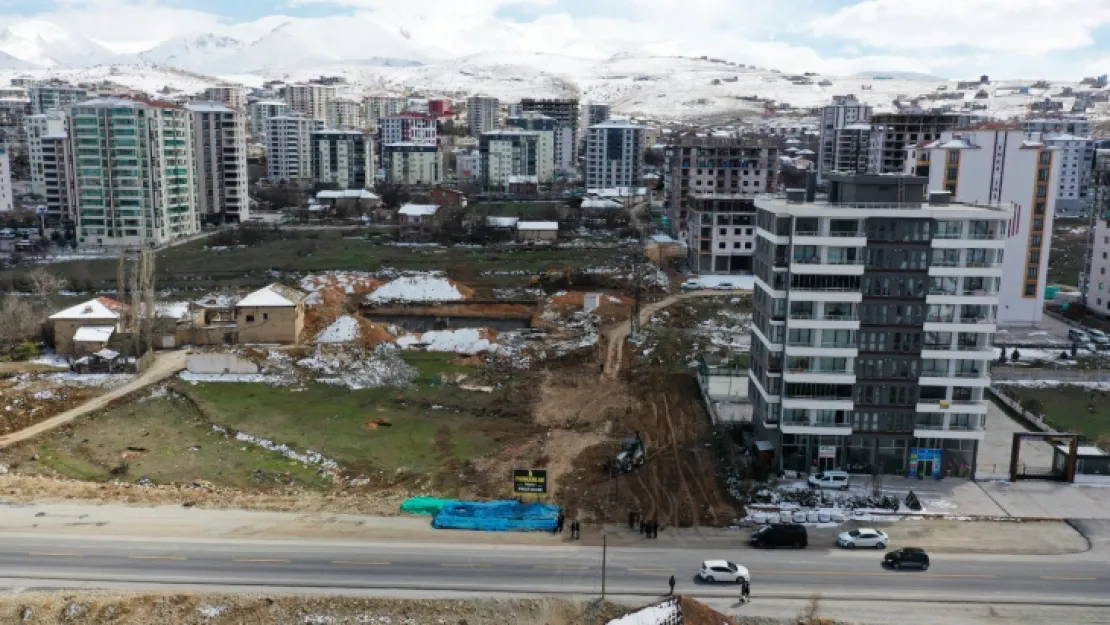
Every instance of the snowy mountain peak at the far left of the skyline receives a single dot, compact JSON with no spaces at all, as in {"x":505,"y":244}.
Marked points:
{"x":45,"y":45}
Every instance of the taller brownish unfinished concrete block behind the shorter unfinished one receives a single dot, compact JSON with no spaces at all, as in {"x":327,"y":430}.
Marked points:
{"x":707,"y":166}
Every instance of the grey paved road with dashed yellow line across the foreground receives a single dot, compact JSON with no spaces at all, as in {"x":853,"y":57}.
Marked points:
{"x":489,"y":569}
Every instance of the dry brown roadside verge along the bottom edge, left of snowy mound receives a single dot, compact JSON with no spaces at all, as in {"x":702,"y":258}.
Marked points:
{"x":143,"y":609}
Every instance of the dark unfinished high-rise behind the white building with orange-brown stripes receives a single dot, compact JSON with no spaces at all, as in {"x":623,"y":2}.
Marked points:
{"x":892,"y":134}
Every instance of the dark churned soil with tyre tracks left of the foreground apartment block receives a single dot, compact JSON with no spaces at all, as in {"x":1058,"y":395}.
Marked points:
{"x":680,"y":486}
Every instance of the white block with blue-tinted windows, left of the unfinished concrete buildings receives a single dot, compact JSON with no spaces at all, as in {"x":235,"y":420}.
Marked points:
{"x":615,"y":155}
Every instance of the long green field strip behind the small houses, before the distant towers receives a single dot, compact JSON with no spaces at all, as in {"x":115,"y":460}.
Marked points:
{"x":193,"y":267}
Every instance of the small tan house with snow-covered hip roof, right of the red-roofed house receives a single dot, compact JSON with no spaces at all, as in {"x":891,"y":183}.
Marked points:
{"x":274,"y":315}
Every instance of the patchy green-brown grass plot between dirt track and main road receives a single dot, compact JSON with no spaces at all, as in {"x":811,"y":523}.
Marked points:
{"x":429,"y":434}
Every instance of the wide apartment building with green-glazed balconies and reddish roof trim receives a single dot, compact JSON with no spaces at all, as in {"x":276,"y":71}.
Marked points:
{"x":134,"y":172}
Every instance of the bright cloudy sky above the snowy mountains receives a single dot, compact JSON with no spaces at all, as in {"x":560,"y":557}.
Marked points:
{"x":953,"y":38}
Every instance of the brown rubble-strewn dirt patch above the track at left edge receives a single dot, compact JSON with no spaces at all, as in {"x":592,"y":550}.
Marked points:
{"x":32,"y":399}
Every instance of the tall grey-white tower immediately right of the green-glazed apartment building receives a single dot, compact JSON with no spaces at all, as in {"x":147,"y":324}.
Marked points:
{"x":220,"y":157}
